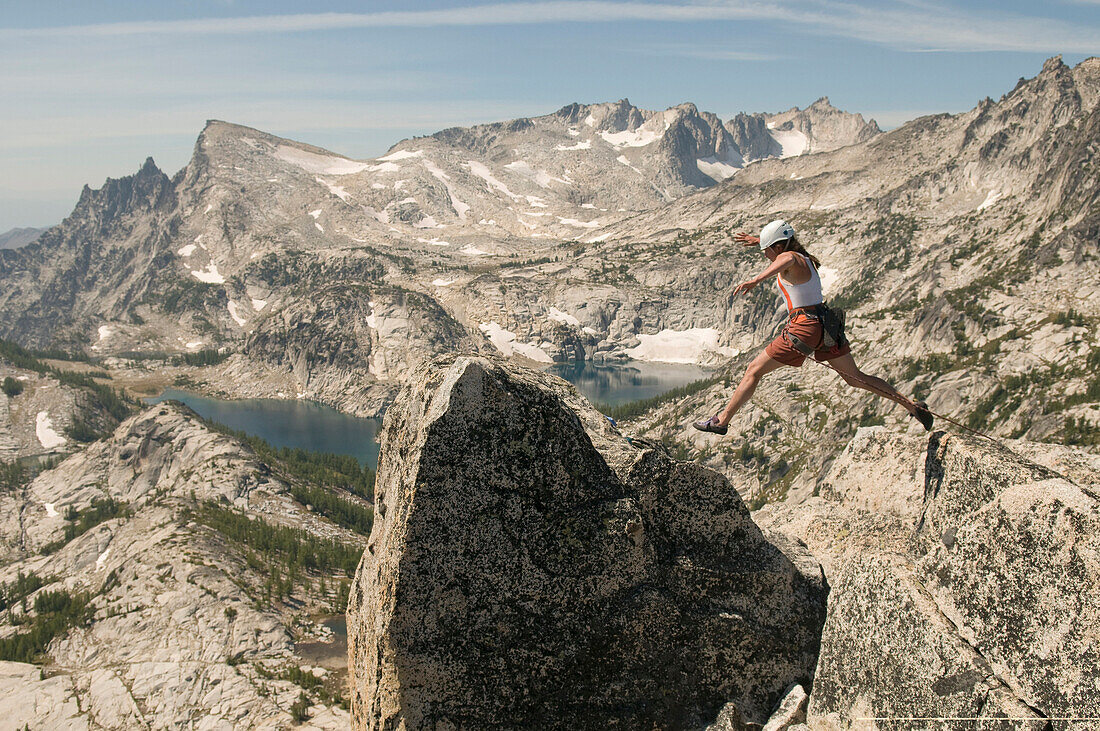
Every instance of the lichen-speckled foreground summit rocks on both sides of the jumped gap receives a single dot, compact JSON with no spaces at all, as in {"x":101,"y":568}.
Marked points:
{"x":532,"y":568}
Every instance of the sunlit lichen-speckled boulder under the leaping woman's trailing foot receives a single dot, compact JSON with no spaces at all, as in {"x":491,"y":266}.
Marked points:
{"x":964,"y":578}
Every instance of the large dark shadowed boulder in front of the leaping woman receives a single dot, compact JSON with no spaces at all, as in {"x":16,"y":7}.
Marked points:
{"x":530,"y":568}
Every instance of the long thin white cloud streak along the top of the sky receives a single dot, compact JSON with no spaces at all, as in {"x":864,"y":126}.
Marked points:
{"x":906,"y":26}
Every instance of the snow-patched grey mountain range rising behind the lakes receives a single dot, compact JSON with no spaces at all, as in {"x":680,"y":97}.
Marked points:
{"x":598,"y":232}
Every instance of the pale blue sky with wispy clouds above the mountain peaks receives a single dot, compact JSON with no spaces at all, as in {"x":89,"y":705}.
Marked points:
{"x":91,"y":88}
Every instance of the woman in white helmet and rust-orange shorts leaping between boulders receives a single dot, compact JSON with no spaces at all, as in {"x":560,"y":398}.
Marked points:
{"x":796,"y":272}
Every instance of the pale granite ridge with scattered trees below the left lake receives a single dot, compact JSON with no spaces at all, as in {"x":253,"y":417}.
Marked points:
{"x":178,"y":638}
